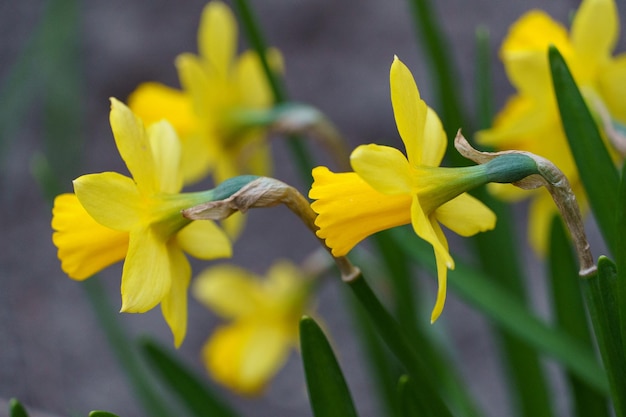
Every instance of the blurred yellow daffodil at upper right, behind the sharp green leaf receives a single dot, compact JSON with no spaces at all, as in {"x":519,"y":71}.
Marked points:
{"x":530,"y":120}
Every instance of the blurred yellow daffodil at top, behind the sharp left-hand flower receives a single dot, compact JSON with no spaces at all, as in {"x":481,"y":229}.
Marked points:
{"x":218,"y":90}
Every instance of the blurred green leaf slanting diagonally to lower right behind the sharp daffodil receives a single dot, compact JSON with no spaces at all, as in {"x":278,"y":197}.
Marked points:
{"x":505,"y":310}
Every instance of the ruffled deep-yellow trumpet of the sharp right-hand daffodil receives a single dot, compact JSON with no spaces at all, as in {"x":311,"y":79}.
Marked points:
{"x":349,"y":209}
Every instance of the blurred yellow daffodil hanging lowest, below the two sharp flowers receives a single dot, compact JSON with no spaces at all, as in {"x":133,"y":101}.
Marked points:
{"x":264,"y":314}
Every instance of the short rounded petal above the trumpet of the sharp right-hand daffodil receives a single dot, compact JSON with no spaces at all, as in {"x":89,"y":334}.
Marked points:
{"x":384,"y":168}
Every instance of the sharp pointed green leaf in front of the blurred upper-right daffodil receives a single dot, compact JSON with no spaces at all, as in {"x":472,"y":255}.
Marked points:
{"x":595,"y":166}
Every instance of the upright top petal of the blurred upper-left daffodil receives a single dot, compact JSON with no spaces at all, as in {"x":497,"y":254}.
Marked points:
{"x":217,"y":37}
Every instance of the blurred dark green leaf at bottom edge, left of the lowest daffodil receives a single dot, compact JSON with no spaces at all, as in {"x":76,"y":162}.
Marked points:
{"x":192,"y":392}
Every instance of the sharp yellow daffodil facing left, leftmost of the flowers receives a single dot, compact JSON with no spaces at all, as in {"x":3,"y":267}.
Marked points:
{"x":112,"y":217}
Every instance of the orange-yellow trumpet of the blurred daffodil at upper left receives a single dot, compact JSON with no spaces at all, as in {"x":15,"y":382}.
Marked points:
{"x":153,"y":102}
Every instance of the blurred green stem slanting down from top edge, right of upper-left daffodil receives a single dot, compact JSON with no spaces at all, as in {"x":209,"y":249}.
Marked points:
{"x":257,"y":40}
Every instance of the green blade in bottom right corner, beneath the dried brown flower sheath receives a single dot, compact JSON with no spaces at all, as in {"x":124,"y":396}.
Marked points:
{"x":600,"y":295}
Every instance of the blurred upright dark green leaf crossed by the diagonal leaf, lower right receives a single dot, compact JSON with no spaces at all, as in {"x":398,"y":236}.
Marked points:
{"x":569,"y":310}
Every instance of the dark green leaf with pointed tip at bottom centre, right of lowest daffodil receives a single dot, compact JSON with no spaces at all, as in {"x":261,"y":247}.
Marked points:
{"x":328,"y":392}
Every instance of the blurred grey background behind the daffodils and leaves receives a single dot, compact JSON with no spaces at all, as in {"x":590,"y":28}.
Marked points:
{"x":53,"y":355}
